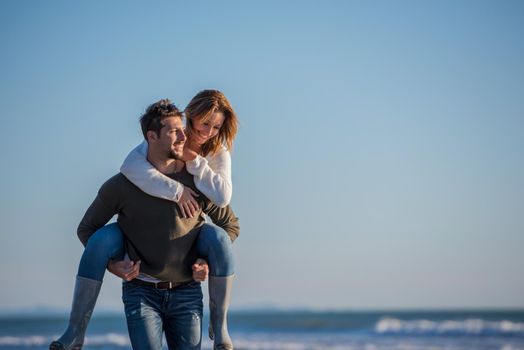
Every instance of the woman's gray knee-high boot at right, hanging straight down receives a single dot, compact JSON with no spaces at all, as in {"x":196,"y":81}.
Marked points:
{"x":219,"y":299}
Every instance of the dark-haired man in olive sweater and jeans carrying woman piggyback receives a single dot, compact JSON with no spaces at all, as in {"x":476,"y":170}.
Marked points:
{"x":164,"y":296}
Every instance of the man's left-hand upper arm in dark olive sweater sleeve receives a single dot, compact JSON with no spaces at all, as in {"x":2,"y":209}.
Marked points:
{"x":103,"y":208}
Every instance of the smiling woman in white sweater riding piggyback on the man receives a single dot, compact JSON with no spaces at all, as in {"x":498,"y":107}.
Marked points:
{"x":211,"y":128}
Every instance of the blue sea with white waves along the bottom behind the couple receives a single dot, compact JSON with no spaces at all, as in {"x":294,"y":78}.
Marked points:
{"x":304,"y":330}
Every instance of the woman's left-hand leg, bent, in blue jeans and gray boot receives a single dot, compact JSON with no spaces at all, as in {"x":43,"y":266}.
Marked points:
{"x":105,"y":244}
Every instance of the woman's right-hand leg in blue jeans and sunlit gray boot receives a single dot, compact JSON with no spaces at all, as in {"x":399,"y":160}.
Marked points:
{"x":214,"y":245}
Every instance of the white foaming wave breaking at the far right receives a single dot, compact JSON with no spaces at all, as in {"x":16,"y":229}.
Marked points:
{"x":388,"y":325}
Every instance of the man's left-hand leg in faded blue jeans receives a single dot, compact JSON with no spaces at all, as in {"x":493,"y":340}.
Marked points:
{"x":144,"y":317}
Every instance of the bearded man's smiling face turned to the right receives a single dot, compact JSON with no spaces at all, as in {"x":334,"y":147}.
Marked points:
{"x":172,"y":138}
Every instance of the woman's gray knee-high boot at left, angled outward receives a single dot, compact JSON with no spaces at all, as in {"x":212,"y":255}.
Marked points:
{"x":84,"y":300}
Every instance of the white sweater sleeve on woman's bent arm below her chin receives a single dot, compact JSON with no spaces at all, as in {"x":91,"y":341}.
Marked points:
{"x":212,"y":176}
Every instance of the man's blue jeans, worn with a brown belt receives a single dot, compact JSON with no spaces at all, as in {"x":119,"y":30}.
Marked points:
{"x":177,"y":312}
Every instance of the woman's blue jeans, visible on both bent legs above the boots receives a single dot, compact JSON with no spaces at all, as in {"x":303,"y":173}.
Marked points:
{"x":107,"y":243}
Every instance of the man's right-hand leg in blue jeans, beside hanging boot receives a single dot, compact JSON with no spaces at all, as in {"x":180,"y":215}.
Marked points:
{"x":183,"y":323}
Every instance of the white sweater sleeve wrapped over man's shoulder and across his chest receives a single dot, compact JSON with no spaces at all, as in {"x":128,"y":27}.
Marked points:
{"x":146,"y":177}
